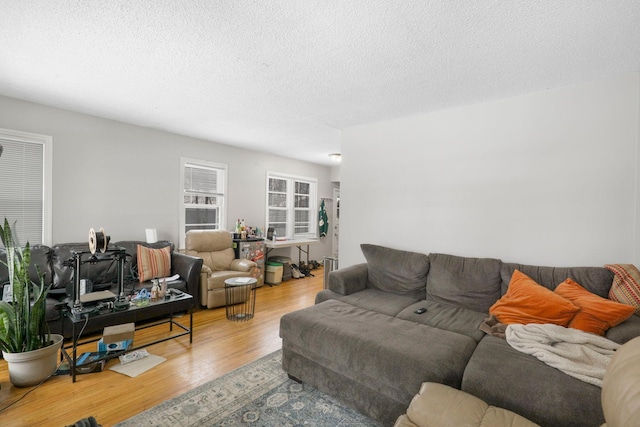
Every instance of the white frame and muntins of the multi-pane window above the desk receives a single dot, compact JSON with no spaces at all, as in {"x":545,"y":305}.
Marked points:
{"x":290,"y":208}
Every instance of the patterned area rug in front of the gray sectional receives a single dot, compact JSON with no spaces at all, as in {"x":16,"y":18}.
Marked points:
{"x":257,"y":394}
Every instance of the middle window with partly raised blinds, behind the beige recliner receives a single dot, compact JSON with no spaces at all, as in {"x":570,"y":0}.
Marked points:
{"x":203,"y":196}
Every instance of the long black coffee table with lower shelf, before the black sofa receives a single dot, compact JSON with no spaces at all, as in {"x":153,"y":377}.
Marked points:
{"x":162,"y":309}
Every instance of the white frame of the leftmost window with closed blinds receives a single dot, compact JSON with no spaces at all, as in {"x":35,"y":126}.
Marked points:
{"x":46,"y":142}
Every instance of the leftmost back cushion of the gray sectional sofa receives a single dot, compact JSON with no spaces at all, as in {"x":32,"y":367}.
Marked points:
{"x":400,"y":272}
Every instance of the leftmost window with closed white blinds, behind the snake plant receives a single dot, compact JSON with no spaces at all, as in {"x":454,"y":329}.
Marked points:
{"x":25,"y":192}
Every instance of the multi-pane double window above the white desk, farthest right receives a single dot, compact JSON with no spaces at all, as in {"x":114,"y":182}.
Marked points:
{"x":291,"y":205}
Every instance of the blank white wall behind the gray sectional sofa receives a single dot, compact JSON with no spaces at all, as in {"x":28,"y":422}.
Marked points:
{"x":547,"y":178}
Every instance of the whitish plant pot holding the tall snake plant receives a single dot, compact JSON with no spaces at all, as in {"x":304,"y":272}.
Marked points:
{"x":32,"y":367}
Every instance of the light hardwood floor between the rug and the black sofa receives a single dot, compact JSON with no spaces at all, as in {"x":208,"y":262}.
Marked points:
{"x":219,"y":346}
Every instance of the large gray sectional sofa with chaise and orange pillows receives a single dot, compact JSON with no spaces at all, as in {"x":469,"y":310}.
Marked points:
{"x":364,"y":343}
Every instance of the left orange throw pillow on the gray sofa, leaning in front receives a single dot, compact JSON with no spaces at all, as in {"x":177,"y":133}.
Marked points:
{"x":528,"y":302}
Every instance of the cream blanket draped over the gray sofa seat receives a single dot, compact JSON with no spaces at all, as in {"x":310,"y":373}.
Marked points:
{"x":580,"y":354}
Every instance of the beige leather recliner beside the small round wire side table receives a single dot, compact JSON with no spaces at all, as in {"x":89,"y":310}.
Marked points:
{"x":219,"y":263}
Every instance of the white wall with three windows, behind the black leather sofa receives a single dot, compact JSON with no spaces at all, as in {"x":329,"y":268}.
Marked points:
{"x":125,"y":178}
